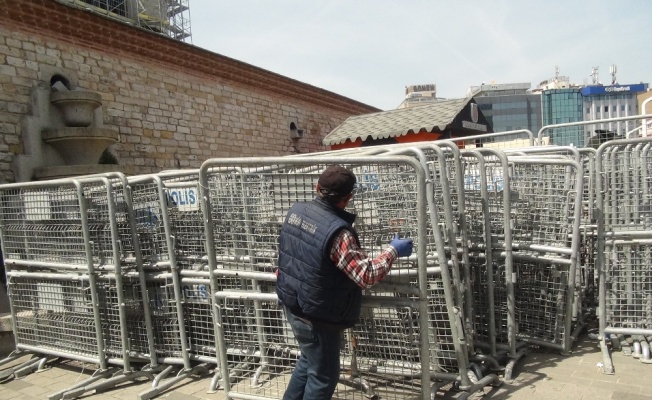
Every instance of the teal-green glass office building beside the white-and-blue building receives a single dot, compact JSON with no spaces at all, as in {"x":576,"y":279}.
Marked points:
{"x":561,"y":106}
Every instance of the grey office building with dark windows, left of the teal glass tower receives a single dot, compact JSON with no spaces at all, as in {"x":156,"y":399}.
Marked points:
{"x":509,"y":106}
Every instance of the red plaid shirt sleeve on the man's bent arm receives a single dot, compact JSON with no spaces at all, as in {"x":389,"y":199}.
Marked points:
{"x":362,"y":270}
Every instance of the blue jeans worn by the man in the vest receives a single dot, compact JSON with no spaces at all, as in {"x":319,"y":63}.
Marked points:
{"x":318,"y":369}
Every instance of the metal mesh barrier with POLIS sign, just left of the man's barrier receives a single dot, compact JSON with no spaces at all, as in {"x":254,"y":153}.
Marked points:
{"x":154,"y":199}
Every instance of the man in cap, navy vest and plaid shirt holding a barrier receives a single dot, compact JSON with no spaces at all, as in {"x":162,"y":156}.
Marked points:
{"x":322,"y":272}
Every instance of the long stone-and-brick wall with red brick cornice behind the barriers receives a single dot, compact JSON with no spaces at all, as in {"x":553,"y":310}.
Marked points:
{"x":175,"y":105}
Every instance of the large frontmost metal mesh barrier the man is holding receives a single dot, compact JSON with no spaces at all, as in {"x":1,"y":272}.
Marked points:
{"x":390,"y":197}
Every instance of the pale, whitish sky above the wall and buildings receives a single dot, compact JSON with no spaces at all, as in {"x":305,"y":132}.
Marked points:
{"x":369,"y":50}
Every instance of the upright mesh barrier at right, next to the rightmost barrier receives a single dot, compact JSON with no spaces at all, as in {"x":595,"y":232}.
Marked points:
{"x":545,"y":247}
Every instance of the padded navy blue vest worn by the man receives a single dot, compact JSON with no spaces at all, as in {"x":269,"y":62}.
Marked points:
{"x":309,"y":283}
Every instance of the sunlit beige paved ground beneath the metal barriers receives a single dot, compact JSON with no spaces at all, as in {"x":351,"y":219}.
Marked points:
{"x":541,"y":375}
